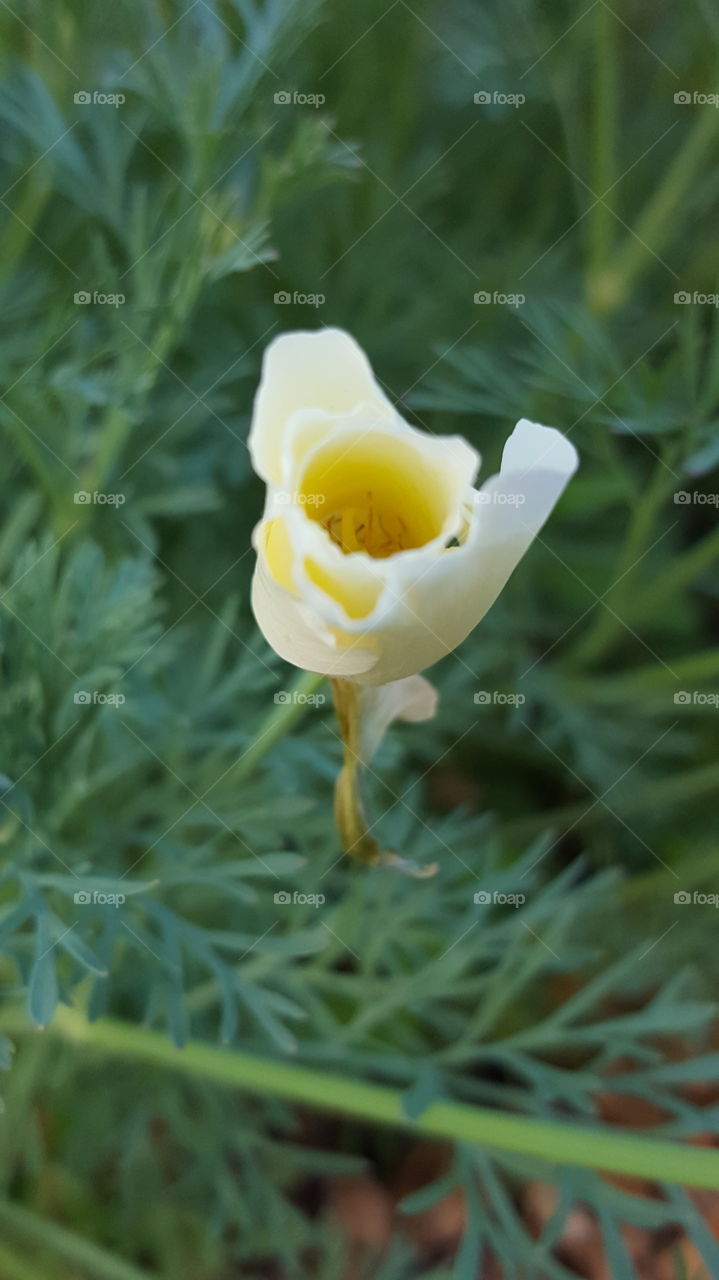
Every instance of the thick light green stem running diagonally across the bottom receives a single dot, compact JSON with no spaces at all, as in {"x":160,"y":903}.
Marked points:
{"x":558,"y":1144}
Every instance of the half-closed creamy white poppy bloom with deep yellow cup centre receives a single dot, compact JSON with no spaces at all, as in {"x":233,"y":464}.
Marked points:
{"x":377,"y":556}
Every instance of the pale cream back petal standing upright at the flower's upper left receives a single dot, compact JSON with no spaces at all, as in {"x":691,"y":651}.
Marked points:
{"x":320,"y":369}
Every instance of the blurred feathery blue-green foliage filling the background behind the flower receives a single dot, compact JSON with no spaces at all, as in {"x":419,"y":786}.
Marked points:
{"x":397,"y":199}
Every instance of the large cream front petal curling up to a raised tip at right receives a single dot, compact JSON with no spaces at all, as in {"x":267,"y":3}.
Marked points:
{"x":379,"y":621}
